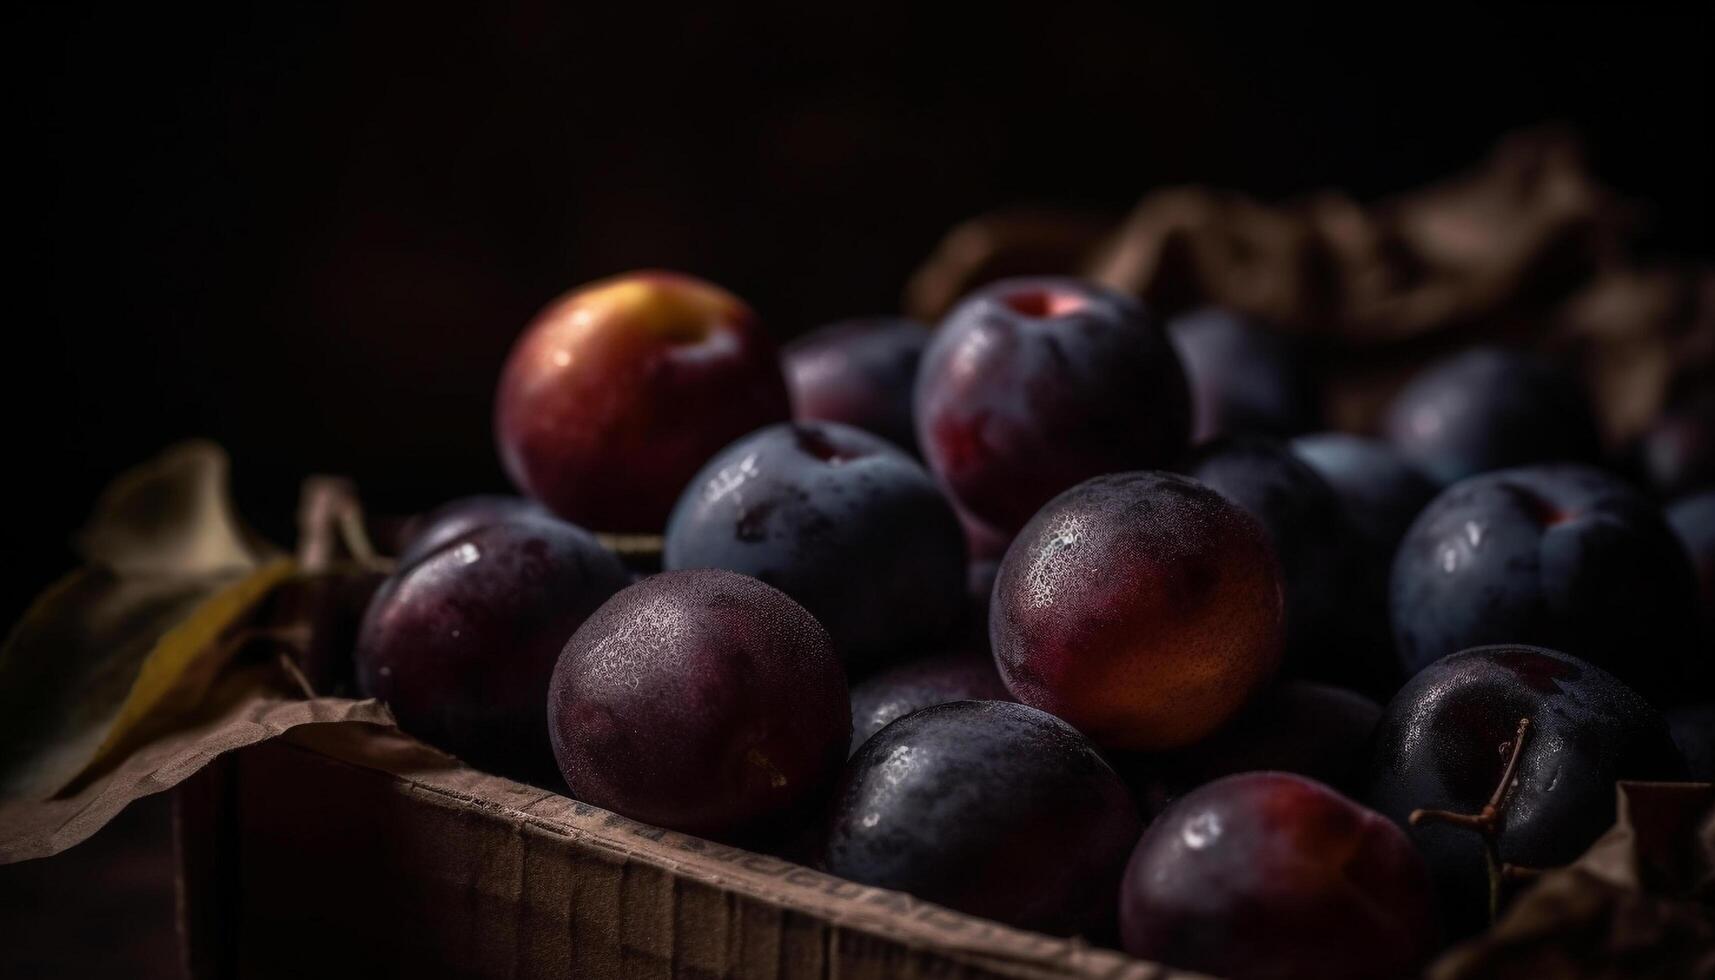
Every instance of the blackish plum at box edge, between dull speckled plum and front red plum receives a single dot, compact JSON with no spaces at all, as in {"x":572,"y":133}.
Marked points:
{"x":992,"y":809}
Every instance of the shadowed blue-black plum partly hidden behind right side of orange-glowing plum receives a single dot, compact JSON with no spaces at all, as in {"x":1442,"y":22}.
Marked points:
{"x":1335,"y":631}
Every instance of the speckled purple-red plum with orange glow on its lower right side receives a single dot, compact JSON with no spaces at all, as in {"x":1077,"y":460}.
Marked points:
{"x":1143,"y":608}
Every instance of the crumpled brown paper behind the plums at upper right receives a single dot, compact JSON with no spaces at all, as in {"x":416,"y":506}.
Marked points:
{"x":1527,"y":250}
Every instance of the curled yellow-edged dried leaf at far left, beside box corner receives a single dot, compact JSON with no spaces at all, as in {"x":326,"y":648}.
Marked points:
{"x":171,"y":569}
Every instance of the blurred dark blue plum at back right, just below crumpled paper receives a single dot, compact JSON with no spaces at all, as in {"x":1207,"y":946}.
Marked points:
{"x":1489,"y":409}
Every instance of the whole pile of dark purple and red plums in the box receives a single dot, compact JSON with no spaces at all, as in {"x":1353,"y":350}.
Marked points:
{"x":1068,"y":617}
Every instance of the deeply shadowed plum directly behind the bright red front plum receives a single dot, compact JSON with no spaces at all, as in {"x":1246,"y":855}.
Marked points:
{"x":1296,"y":727}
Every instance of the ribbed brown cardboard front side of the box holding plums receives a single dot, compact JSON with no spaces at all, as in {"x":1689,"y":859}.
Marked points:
{"x":366,"y":849}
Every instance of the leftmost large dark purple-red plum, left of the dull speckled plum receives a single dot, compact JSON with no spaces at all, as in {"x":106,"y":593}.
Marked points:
{"x":460,"y":644}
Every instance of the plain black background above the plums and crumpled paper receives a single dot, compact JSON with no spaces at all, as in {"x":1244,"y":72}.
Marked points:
{"x":313,"y":234}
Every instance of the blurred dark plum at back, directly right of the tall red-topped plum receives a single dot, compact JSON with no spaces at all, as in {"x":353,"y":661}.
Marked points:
{"x":1246,"y":378}
